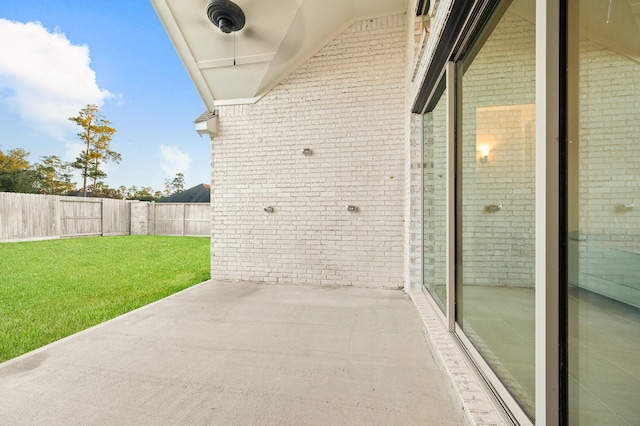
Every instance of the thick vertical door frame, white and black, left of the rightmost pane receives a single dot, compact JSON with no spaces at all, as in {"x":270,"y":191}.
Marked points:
{"x":551,"y":260}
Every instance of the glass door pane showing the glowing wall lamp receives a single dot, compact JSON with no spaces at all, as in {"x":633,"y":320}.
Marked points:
{"x":496,"y":200}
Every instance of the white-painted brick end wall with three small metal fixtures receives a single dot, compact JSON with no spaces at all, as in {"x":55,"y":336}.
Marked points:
{"x":347,"y":105}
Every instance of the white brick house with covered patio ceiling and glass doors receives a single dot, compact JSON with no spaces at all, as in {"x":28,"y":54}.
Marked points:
{"x":481,"y":155}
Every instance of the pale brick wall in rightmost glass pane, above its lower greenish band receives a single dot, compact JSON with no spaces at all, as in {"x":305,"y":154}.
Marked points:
{"x":609,"y":146}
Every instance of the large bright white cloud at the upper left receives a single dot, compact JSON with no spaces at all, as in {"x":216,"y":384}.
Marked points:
{"x":44,"y":77}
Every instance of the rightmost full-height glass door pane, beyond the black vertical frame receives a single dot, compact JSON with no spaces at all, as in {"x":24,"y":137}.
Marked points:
{"x":604,"y":212}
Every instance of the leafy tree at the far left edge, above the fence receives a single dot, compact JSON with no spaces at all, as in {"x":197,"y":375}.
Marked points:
{"x":16,"y":174}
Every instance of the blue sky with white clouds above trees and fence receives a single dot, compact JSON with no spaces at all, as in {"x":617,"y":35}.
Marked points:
{"x":57,"y":56}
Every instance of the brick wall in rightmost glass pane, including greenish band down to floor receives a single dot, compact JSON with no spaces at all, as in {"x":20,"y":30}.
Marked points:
{"x":609,"y":172}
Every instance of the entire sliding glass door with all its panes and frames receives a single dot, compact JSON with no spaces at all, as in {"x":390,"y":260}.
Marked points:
{"x":578,"y":290}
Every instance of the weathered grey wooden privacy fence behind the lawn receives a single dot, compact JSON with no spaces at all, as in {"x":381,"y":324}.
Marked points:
{"x":35,"y":217}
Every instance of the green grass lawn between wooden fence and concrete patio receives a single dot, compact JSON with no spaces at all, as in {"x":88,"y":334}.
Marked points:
{"x":51,"y":289}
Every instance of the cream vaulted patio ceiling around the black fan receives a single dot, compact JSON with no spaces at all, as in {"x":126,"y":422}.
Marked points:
{"x":279,"y":36}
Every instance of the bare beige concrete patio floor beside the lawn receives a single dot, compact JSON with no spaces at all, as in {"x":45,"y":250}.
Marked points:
{"x":226,"y":353}
